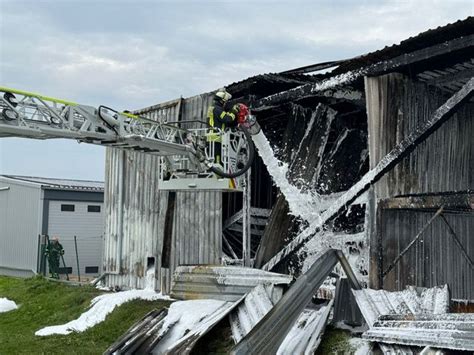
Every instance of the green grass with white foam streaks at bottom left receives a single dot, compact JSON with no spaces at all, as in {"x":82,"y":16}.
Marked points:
{"x":44,"y":303}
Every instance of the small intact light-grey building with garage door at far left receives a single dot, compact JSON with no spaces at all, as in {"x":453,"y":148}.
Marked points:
{"x":34,"y":206}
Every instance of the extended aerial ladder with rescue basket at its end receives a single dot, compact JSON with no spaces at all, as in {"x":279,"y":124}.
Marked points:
{"x":187,"y":155}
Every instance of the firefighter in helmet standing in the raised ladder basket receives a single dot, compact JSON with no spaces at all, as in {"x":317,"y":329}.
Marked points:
{"x":219,"y":118}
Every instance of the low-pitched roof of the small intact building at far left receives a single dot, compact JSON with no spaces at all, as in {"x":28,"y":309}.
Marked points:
{"x":60,"y":184}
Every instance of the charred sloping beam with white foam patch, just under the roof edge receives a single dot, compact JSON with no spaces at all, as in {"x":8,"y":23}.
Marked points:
{"x":372,"y":70}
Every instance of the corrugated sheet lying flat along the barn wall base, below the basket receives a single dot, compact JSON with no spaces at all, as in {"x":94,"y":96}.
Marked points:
{"x":220,"y":282}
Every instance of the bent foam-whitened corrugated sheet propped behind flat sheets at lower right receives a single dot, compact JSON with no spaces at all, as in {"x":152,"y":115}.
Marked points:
{"x":375,"y":303}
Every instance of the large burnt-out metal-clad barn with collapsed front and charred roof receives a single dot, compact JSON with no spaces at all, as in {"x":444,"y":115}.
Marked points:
{"x":412,"y":226}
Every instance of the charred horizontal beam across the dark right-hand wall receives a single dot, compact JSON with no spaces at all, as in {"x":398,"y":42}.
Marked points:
{"x":462,"y":201}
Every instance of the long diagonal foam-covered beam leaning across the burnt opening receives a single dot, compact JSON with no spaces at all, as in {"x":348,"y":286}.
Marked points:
{"x":401,"y":150}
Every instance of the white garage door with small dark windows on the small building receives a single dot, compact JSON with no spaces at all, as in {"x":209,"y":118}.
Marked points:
{"x":85,"y":220}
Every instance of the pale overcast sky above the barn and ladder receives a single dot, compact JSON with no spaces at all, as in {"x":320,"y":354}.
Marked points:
{"x":133,"y":54}
